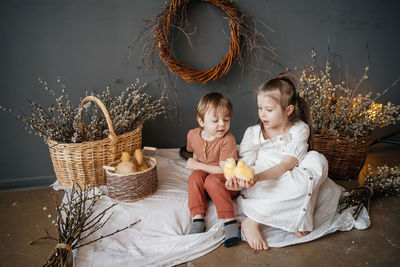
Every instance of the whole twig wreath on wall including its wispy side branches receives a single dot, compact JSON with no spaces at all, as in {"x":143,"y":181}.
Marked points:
{"x":247,"y":44}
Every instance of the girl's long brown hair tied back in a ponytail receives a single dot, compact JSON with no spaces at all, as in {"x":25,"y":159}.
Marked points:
{"x":286,"y":85}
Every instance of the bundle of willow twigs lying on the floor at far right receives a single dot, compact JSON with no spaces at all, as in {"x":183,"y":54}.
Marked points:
{"x":385,"y":181}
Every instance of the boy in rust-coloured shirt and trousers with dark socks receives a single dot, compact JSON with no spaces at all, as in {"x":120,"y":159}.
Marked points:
{"x":212,"y":144}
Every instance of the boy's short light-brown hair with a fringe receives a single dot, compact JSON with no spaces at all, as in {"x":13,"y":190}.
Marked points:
{"x":214,"y":100}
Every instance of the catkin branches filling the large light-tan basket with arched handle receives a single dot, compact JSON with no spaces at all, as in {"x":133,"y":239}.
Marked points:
{"x":61,"y":122}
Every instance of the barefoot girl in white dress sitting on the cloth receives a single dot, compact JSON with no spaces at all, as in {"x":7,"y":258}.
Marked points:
{"x":284,"y":190}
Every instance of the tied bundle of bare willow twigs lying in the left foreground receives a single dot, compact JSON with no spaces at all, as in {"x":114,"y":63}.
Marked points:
{"x":77,"y":219}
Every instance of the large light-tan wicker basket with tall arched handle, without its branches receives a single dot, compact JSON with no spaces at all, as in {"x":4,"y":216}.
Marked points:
{"x":83,"y":162}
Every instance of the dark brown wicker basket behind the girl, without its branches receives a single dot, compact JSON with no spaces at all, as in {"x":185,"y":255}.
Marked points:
{"x":345,"y":158}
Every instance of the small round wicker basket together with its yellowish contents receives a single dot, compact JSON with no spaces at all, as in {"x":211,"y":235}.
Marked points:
{"x":131,"y":178}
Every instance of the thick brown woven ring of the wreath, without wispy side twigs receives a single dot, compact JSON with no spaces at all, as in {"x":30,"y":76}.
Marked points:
{"x":162,"y":32}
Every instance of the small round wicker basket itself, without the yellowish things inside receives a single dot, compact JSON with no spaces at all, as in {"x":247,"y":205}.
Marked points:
{"x":135,"y":186}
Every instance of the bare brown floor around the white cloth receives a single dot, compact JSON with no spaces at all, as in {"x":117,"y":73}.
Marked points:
{"x":23,"y":219}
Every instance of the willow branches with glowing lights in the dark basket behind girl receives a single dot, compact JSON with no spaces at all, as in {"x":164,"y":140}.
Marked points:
{"x":341,"y":111}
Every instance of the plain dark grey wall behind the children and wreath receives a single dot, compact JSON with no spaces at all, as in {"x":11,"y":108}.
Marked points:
{"x":85,"y":42}
